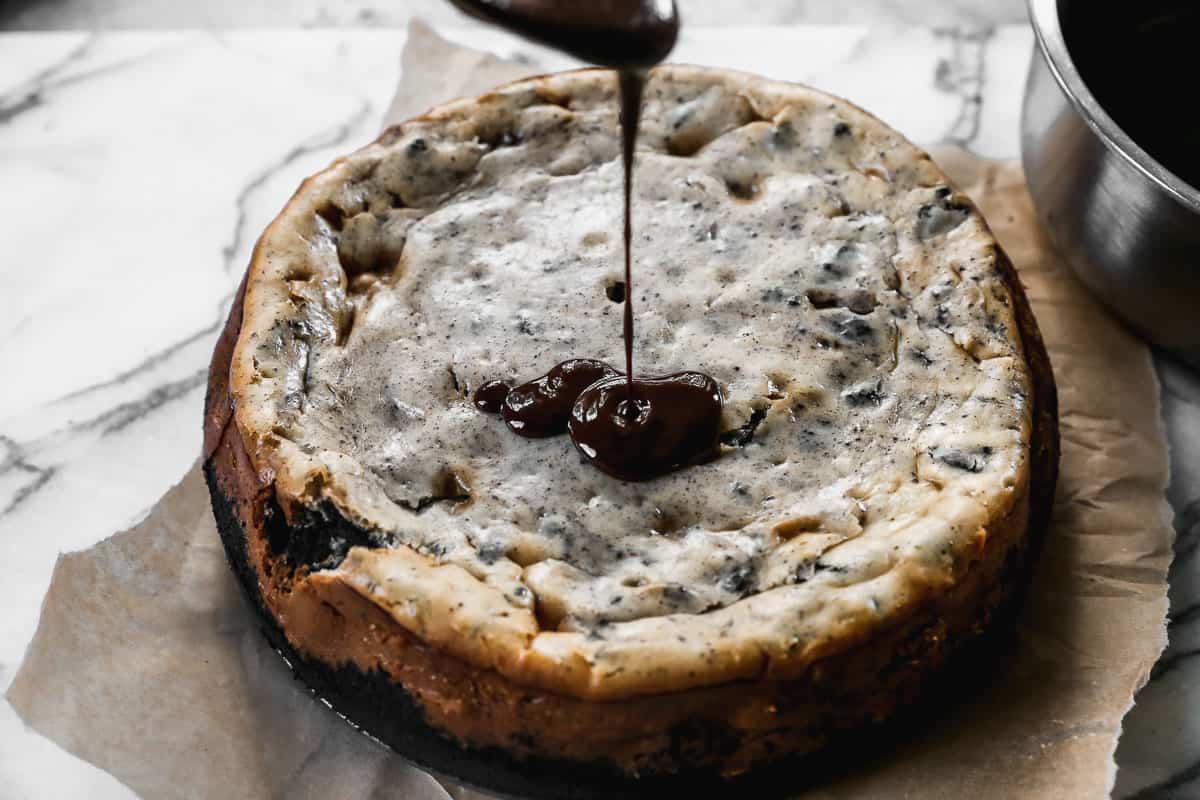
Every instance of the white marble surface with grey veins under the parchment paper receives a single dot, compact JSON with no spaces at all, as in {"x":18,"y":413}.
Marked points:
{"x":136,"y":171}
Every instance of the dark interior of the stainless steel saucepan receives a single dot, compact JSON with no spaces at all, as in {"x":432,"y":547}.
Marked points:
{"x":1139,"y":61}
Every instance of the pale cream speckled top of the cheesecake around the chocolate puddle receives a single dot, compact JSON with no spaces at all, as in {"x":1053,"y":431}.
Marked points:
{"x":815,"y":264}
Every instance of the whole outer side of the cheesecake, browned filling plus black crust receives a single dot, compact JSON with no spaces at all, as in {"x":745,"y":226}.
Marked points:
{"x":677,"y":741}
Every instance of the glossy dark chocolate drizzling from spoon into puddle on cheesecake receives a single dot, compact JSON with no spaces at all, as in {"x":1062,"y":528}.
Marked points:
{"x":633,"y":429}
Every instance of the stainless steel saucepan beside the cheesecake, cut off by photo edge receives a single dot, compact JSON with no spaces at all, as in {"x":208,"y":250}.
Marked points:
{"x":1129,"y":226}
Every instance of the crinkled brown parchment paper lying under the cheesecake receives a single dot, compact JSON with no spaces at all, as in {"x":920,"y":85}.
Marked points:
{"x":148,"y":664}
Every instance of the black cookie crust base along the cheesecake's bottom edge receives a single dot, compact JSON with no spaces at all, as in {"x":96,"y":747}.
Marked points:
{"x":386,"y":712}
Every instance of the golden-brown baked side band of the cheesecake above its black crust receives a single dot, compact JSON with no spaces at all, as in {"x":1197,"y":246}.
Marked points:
{"x":724,"y":729}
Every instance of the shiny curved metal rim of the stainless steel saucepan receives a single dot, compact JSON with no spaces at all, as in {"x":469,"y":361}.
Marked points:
{"x":1053,"y":47}
